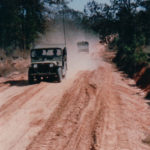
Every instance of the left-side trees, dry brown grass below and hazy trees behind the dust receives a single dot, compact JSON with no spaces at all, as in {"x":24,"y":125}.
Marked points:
{"x":21,"y":25}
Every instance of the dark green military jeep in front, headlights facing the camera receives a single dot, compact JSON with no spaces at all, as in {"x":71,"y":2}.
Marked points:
{"x":47,"y":63}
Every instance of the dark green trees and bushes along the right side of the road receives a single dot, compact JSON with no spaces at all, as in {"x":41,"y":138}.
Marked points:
{"x":129,"y":22}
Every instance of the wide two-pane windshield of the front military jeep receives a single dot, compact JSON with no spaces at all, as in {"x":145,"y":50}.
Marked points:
{"x":54,"y":54}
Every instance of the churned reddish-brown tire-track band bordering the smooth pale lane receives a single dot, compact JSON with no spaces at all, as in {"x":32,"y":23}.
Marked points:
{"x":66,"y":116}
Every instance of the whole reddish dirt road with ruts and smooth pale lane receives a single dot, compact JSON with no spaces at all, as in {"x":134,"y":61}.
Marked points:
{"x":96,"y":109}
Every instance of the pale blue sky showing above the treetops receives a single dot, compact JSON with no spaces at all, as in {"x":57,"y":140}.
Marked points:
{"x":79,"y":4}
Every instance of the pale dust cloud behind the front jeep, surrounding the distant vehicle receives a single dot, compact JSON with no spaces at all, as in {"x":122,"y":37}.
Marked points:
{"x":77,"y":61}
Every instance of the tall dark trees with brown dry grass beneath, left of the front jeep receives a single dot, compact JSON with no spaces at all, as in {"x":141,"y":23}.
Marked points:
{"x":20,"y":24}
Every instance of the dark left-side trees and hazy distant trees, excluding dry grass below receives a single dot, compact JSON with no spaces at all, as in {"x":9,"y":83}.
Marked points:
{"x":21,"y":22}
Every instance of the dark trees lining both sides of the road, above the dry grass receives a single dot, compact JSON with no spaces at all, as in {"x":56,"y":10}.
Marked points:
{"x":123,"y":24}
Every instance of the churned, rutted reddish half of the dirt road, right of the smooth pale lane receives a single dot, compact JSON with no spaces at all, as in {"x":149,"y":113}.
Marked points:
{"x":93,"y":115}
